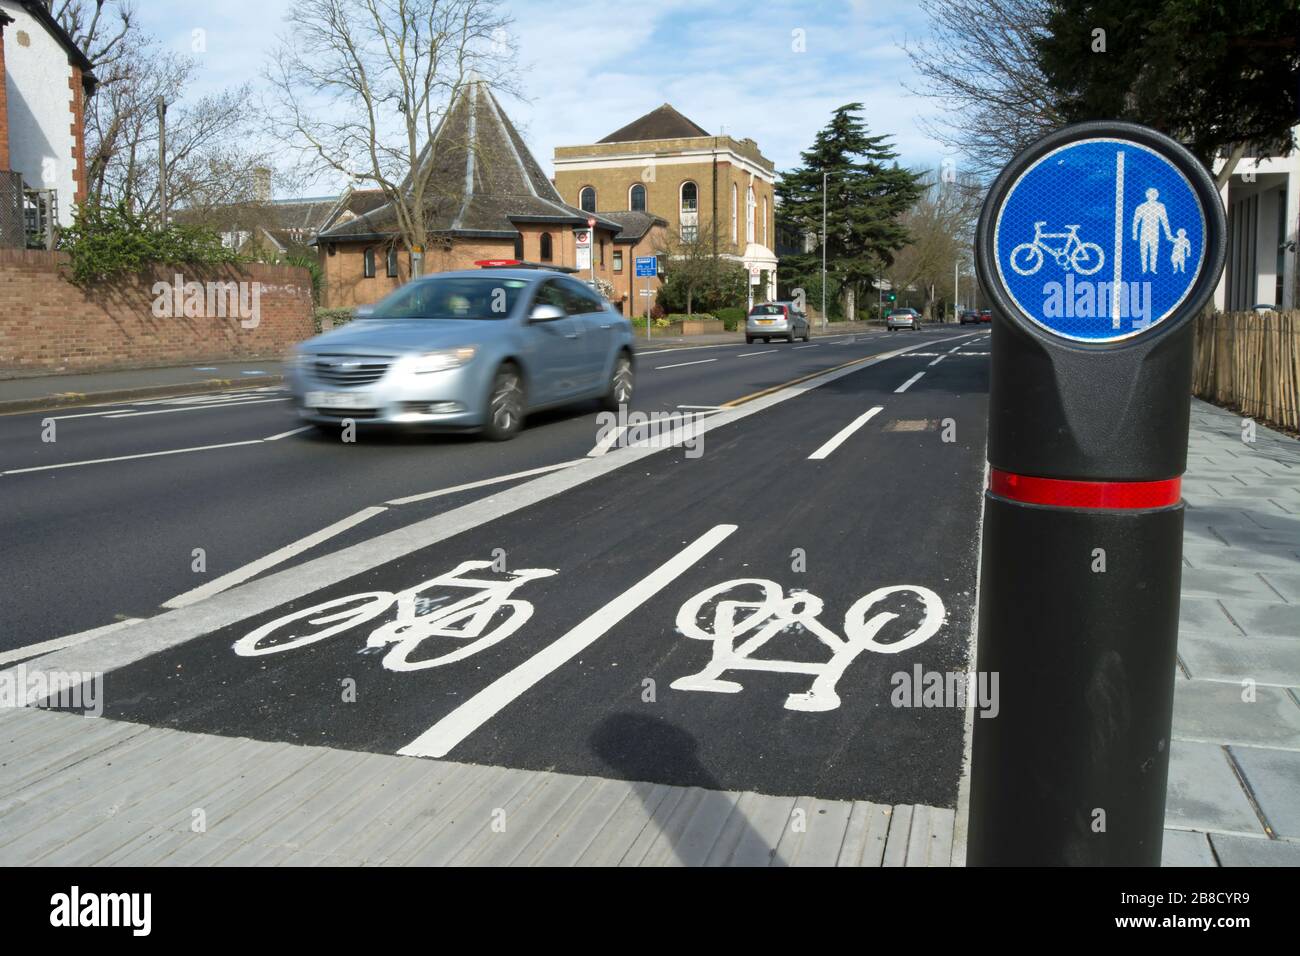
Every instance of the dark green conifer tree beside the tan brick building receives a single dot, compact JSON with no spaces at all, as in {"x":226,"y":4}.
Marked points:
{"x":868,"y":193}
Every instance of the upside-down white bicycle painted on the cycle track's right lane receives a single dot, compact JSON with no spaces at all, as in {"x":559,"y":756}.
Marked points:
{"x":742,"y":628}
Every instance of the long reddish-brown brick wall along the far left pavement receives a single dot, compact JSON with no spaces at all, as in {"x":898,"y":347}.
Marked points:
{"x":47,"y":325}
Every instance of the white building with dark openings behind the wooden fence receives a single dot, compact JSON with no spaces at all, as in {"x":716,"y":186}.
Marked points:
{"x":1263,"y":202}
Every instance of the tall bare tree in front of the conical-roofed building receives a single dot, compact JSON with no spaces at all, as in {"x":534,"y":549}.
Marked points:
{"x":362,"y":85}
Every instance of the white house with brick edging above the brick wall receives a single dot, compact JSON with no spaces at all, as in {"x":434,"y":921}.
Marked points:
{"x":46,"y":83}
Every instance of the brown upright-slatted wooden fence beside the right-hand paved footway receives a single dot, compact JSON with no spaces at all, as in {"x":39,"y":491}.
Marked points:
{"x":1251,"y":362}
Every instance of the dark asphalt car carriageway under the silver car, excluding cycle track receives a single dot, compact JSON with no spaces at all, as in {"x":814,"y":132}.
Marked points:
{"x":92,"y":544}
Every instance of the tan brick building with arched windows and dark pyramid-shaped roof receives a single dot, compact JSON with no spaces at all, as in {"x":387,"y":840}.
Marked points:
{"x":707,"y":188}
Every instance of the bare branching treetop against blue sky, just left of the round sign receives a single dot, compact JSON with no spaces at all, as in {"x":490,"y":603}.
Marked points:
{"x":981,"y":64}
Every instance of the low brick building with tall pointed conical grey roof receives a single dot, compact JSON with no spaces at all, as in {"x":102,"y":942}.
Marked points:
{"x":487,"y":198}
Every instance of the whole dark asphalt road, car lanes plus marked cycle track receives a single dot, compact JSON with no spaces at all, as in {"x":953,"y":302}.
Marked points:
{"x":722,"y":615}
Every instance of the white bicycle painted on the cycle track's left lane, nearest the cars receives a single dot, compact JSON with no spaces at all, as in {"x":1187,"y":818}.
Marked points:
{"x":484,"y":618}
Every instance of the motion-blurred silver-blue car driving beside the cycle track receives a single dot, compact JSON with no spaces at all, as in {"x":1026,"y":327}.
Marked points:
{"x":467,"y":351}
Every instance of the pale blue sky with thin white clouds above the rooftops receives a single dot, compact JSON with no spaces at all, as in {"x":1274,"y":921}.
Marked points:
{"x":772,"y":71}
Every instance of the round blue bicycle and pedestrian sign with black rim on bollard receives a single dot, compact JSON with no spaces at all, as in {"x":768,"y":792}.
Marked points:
{"x":1102,"y":233}
